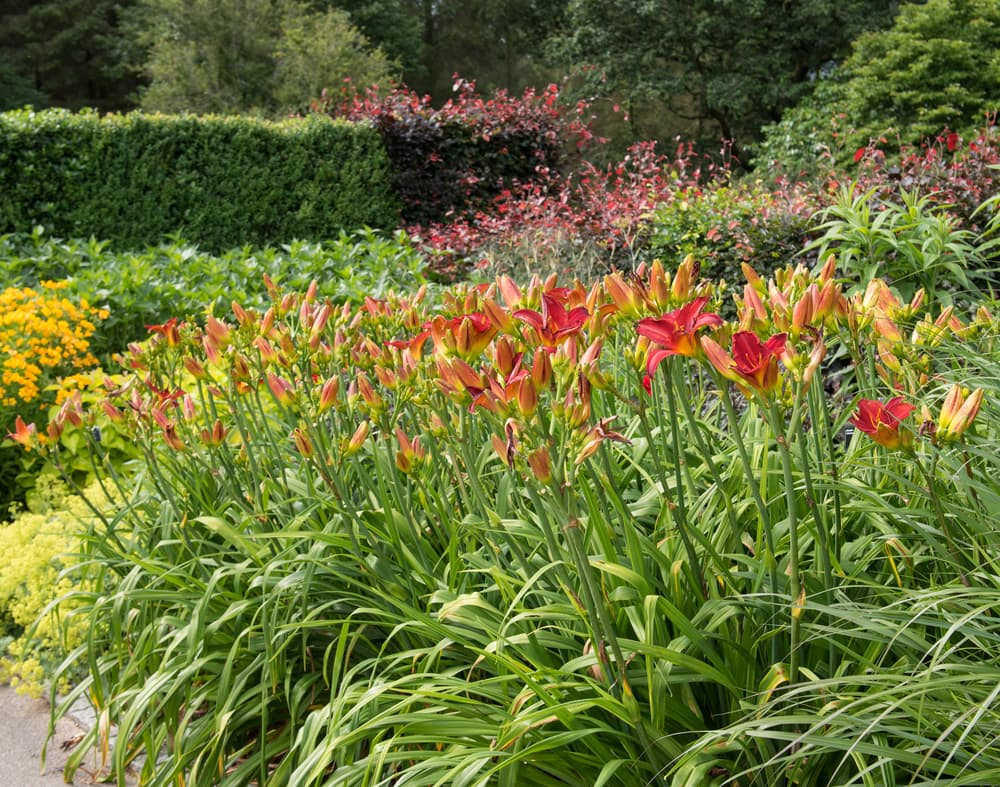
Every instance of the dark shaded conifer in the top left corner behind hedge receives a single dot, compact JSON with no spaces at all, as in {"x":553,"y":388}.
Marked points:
{"x":65,"y":53}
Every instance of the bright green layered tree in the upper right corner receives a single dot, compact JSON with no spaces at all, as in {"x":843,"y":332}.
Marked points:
{"x":938,"y":67}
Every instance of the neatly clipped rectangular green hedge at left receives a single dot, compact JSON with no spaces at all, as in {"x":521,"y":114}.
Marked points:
{"x":220,"y":182}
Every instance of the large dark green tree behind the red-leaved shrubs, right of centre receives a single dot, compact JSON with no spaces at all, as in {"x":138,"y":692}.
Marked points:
{"x":719,"y":68}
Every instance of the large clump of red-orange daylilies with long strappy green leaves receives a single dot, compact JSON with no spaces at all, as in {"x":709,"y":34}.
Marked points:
{"x":553,"y":536}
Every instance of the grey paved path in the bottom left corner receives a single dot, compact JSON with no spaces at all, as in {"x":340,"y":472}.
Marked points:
{"x":24,"y":726}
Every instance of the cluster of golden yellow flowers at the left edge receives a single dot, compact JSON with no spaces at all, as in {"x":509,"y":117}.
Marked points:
{"x":41,"y":335}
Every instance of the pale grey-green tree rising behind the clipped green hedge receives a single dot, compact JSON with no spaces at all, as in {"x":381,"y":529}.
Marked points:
{"x":265,"y":56}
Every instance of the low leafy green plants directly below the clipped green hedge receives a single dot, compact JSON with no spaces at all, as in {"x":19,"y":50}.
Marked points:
{"x":177,"y":279}
